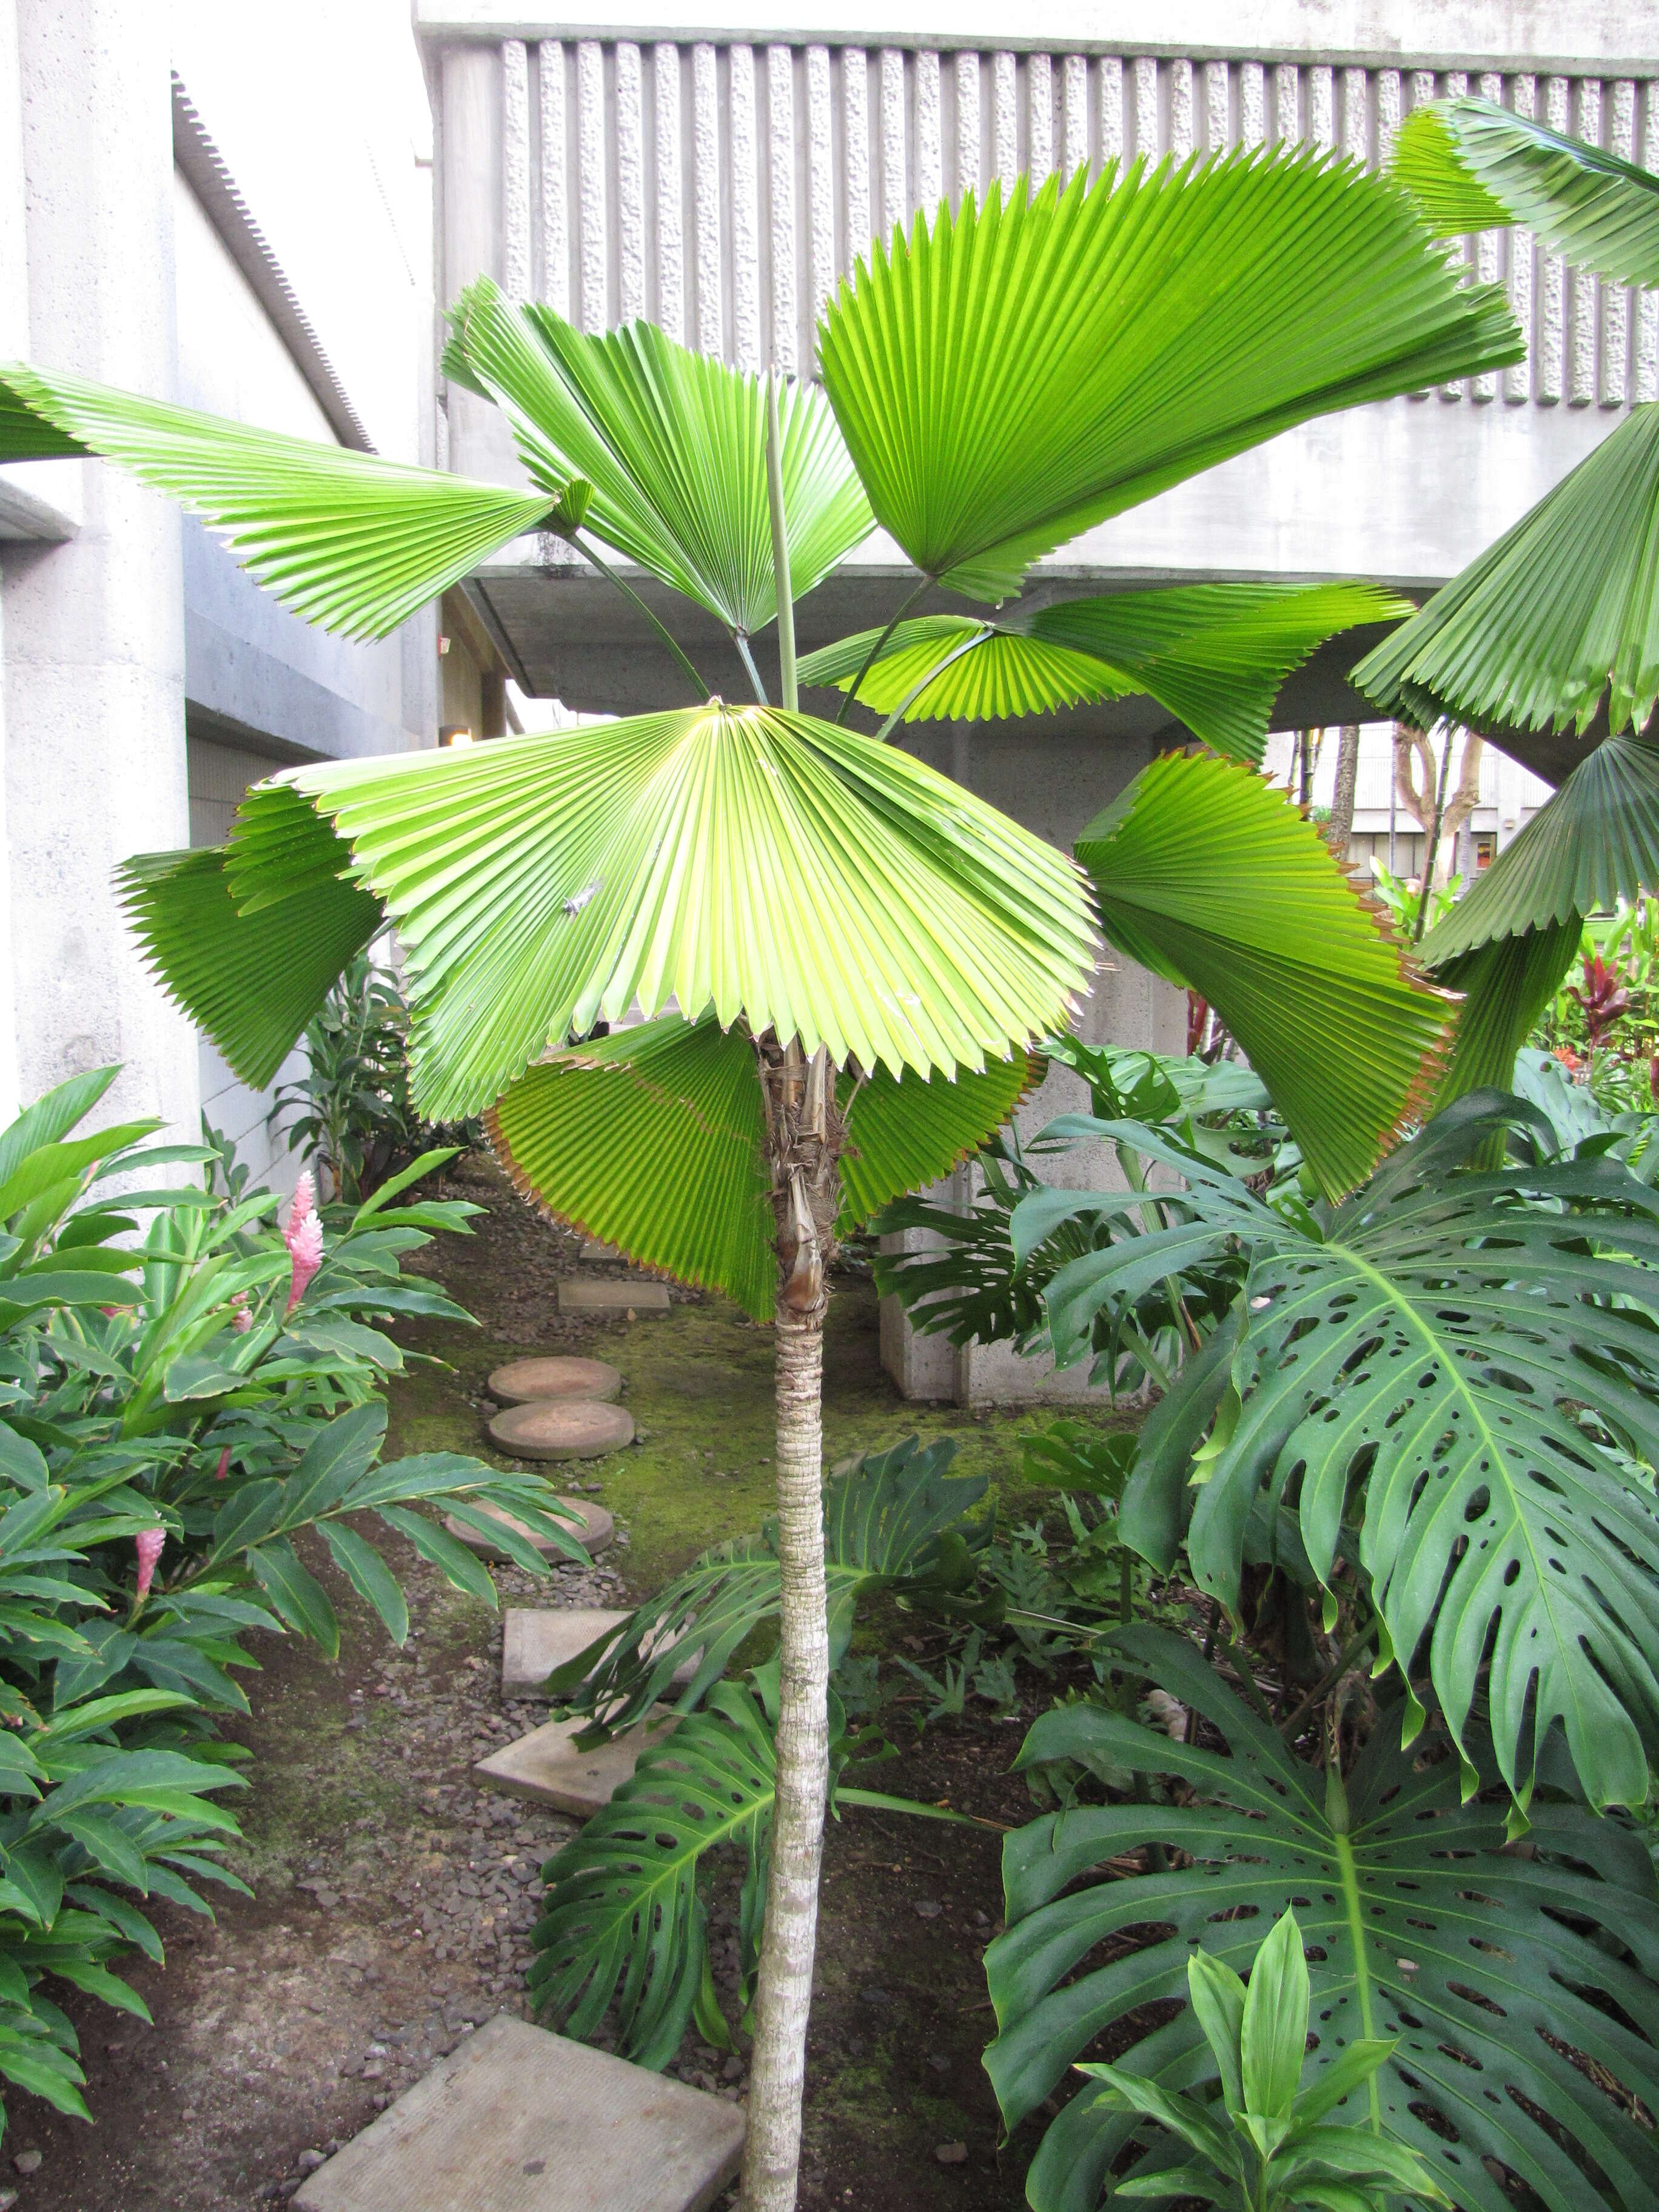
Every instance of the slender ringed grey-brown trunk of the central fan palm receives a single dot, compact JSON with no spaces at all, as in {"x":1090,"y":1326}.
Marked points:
{"x":804,"y":1142}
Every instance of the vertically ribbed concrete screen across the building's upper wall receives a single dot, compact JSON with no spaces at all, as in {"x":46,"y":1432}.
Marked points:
{"x":724,"y":189}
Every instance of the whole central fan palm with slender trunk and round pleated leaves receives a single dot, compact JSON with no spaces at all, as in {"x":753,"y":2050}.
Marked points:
{"x":842,"y":959}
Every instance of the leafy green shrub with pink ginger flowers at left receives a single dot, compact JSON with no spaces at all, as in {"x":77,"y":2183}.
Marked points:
{"x":176,"y":1412}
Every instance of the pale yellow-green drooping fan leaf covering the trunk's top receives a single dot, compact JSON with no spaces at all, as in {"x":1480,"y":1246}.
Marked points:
{"x":735,"y":859}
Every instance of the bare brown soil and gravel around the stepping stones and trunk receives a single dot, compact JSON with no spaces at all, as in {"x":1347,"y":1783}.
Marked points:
{"x":395,"y":1901}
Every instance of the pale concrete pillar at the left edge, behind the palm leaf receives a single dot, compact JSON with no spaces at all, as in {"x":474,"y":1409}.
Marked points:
{"x":94,"y":627}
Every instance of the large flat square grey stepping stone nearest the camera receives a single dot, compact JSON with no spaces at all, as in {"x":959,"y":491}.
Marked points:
{"x":519,"y":2120}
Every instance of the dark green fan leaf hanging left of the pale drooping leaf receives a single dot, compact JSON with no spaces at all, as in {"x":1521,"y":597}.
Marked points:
{"x":253,"y":981}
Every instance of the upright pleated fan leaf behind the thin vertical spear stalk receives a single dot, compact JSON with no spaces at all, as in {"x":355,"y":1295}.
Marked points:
{"x":674,"y":446}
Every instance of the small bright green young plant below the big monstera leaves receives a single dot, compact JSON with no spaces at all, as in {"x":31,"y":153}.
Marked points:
{"x":1277,"y":2149}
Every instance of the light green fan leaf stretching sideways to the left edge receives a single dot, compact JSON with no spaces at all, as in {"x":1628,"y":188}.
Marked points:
{"x":348,"y":541}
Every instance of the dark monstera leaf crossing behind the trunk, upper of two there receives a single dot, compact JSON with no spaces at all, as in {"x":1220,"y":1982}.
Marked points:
{"x":890,"y":1521}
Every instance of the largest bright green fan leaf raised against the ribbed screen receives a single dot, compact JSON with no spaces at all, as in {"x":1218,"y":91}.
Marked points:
{"x":1023,"y":371}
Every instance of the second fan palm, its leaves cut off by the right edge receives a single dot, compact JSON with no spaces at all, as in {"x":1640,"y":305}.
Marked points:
{"x":1556,"y":627}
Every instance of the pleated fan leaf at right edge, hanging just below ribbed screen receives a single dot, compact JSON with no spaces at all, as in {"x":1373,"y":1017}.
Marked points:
{"x":1554,"y":618}
